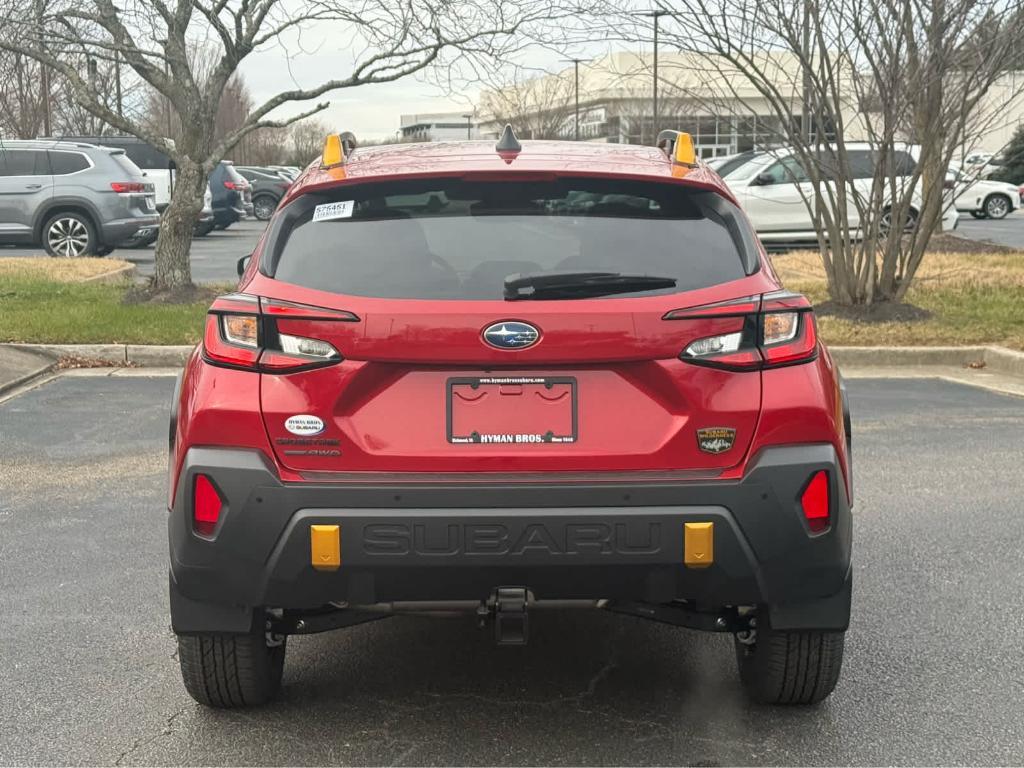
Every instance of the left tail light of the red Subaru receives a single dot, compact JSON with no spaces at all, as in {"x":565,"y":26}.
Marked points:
{"x":242,"y":333}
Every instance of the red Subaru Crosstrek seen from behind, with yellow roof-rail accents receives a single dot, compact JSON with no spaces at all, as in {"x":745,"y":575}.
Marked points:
{"x":498,"y":378}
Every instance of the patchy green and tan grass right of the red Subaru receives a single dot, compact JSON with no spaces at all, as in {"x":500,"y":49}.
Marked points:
{"x":976,"y":298}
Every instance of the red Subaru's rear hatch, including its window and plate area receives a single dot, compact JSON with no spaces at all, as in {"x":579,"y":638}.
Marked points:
{"x":472,"y":339}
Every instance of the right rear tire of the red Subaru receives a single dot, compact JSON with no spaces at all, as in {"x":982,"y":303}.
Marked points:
{"x":791,"y":668}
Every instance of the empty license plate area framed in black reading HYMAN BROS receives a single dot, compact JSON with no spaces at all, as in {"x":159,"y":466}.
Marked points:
{"x":513,"y":410}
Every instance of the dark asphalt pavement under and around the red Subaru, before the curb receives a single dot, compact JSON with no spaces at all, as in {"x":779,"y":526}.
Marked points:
{"x":89,"y":672}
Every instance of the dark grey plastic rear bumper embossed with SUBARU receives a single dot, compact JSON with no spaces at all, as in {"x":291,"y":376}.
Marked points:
{"x":411,"y":542}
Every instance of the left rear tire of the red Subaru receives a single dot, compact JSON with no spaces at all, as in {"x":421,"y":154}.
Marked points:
{"x":231,"y":671}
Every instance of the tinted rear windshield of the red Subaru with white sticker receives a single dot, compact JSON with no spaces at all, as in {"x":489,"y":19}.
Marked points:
{"x":460,"y":239}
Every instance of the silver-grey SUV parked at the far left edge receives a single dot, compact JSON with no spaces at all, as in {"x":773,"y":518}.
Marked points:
{"x":74,"y":199}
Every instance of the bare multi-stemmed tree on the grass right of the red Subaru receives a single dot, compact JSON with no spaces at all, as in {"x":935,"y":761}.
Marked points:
{"x":833,"y":72}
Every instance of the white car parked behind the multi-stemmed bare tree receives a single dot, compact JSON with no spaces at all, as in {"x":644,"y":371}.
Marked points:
{"x":773,"y":188}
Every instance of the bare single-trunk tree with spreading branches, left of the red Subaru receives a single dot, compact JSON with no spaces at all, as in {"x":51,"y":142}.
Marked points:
{"x":154,"y":39}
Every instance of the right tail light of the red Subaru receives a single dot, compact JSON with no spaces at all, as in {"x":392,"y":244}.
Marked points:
{"x":770,"y":331}
